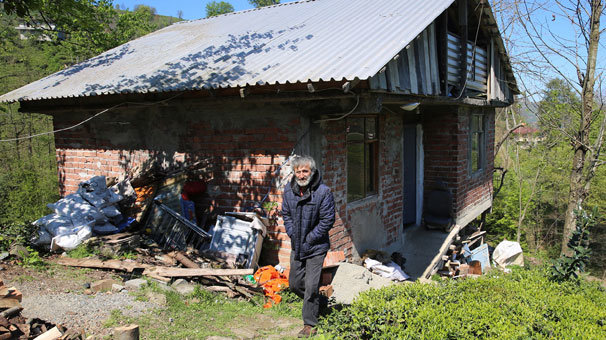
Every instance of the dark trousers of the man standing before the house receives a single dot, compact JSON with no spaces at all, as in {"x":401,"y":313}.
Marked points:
{"x":304,"y":280}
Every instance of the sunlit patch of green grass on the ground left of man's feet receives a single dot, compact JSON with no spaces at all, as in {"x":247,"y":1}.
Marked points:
{"x":203,"y":314}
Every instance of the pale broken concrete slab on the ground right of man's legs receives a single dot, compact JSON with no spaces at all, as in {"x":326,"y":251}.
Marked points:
{"x":350,"y":280}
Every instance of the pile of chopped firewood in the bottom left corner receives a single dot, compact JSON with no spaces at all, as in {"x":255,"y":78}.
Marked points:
{"x":15,"y":326}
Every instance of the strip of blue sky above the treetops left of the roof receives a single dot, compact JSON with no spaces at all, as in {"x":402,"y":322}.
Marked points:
{"x":192,"y":9}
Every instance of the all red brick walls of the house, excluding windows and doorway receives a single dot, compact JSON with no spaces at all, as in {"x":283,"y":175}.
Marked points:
{"x":242,"y":148}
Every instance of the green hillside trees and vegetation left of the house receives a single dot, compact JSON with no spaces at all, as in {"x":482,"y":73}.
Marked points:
{"x":28,"y":172}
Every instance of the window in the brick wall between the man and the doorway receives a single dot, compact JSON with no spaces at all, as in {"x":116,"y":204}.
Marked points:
{"x":362,"y":157}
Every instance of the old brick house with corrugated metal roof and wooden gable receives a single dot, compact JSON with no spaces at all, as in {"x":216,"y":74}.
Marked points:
{"x":391,"y":97}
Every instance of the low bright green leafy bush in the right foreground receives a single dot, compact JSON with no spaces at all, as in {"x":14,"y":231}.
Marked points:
{"x":522,"y":305}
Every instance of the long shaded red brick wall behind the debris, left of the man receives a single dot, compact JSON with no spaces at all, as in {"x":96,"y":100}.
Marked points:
{"x":240,"y":154}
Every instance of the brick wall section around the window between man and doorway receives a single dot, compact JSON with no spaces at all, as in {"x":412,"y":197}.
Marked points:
{"x":387,"y":203}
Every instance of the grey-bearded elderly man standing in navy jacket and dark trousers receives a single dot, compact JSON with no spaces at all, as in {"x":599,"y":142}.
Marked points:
{"x":308,"y":210}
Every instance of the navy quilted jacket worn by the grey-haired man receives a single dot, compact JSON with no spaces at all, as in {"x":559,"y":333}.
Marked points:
{"x":308,"y":217}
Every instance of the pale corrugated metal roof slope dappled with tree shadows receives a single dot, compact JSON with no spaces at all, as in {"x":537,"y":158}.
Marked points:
{"x":303,"y":41}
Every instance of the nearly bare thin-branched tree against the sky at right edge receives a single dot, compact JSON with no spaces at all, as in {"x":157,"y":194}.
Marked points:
{"x":547,"y":50}
